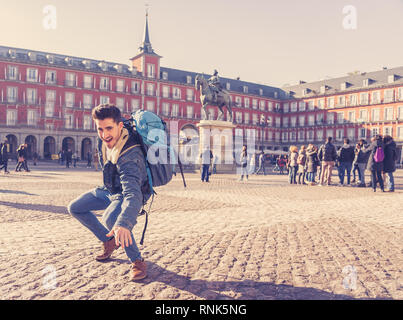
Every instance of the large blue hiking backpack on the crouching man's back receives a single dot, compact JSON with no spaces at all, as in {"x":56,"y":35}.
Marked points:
{"x":151,"y":132}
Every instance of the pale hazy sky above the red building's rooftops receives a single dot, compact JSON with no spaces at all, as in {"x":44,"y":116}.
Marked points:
{"x":263,"y":41}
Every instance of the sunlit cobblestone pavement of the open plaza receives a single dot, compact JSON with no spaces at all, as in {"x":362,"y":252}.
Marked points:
{"x":260,"y":239}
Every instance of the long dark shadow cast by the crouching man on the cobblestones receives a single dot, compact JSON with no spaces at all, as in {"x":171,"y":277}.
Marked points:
{"x":246,"y":289}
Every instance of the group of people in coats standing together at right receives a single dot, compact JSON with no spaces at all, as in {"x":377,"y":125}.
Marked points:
{"x":379,"y":157}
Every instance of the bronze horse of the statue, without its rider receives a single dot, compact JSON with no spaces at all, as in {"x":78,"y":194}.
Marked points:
{"x":206,"y":98}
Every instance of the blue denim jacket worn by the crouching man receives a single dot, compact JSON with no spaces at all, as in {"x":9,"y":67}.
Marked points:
{"x":133,"y":188}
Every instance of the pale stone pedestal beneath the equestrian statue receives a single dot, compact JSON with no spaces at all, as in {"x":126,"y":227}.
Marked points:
{"x":217,"y":136}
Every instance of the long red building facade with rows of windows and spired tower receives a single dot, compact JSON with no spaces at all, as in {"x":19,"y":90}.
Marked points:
{"x":46,"y":101}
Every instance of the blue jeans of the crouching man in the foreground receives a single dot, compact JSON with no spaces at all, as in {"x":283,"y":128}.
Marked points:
{"x":101,"y":199}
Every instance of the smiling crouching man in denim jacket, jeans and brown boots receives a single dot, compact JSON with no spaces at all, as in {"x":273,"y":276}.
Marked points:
{"x":126,"y":189}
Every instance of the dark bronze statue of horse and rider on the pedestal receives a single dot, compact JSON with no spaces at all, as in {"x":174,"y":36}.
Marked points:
{"x":212,"y":93}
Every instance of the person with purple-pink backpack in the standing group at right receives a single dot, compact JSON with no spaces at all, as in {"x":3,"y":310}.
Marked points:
{"x":375,"y":161}
